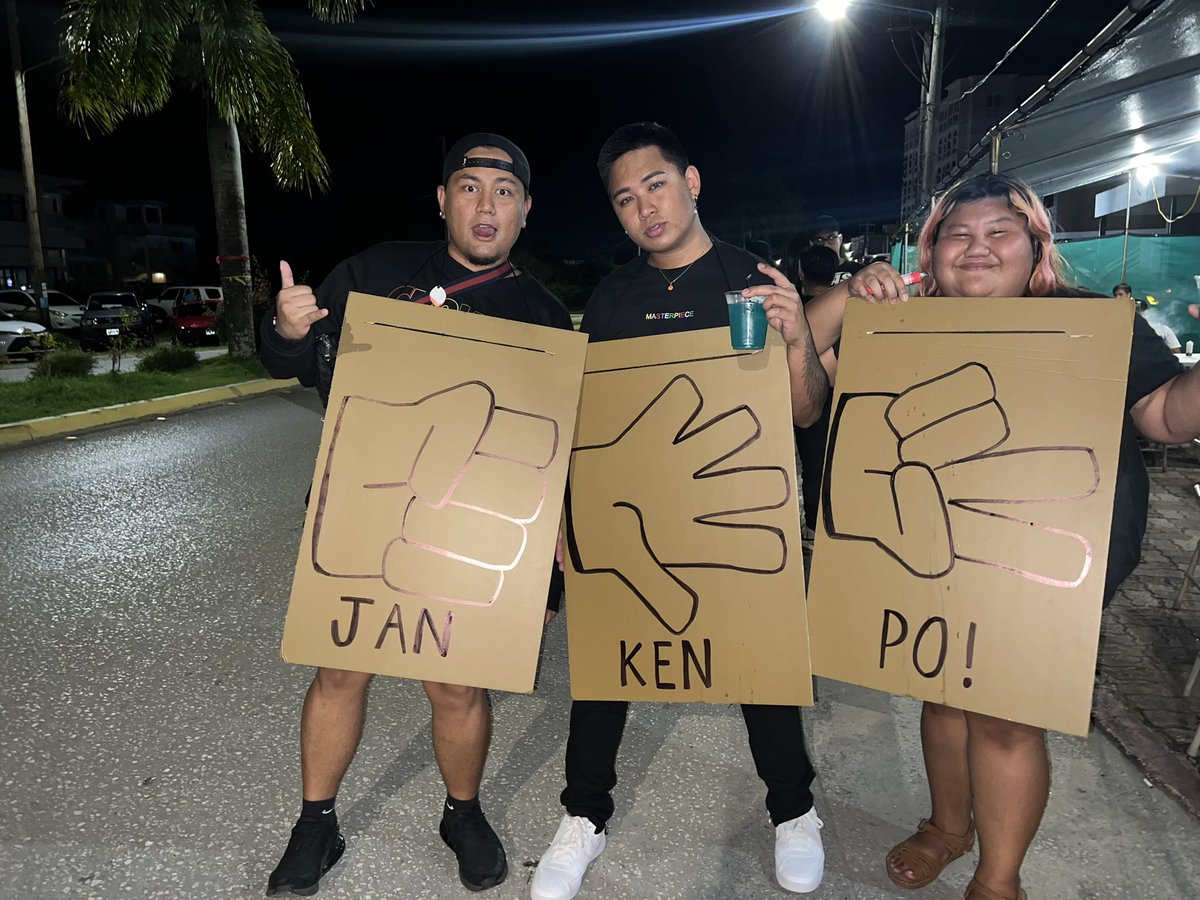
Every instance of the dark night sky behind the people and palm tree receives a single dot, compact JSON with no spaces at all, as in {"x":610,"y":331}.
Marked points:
{"x":784,"y":115}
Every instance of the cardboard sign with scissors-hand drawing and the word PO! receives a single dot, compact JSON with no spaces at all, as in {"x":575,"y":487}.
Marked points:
{"x":967,"y":503}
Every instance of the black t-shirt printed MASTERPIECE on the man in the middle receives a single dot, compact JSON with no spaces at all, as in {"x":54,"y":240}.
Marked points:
{"x":634,"y":302}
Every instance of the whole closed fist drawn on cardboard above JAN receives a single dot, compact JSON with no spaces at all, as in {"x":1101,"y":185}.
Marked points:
{"x":433,"y":497}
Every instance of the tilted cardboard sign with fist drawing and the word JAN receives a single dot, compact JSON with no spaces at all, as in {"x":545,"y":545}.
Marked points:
{"x":430,"y":537}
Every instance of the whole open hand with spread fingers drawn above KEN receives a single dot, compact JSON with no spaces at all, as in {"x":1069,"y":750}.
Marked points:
{"x":670,"y":511}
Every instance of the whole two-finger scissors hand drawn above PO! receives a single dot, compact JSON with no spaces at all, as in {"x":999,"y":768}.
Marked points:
{"x":925,"y":475}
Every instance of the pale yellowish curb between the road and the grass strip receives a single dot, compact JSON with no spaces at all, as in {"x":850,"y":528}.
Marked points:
{"x":16,"y":434}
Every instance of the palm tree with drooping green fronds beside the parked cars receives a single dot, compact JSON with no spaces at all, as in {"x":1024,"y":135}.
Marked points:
{"x":127,"y":58}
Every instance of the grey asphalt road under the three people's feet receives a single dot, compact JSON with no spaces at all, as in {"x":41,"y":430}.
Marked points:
{"x":149,"y":741}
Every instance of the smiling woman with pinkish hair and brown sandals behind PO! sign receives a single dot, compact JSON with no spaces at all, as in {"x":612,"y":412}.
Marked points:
{"x":991,"y":778}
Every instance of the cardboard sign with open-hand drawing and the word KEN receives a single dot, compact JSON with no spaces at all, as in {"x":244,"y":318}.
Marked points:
{"x":686,"y":580}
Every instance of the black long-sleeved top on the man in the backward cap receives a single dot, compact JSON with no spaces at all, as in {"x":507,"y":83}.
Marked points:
{"x":405,"y":271}
